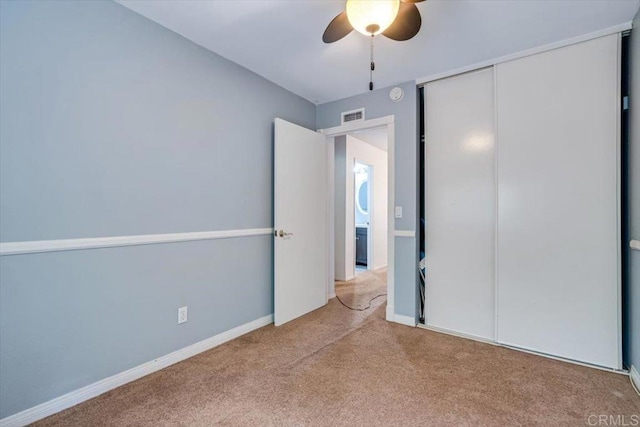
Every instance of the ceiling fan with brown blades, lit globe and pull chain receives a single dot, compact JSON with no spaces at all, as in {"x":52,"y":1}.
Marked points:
{"x":396,"y":19}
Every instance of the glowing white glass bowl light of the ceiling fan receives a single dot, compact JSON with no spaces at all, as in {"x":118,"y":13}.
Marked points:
{"x":372,"y":17}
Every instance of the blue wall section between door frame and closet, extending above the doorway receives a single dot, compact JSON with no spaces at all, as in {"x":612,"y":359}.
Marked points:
{"x":377,"y":104}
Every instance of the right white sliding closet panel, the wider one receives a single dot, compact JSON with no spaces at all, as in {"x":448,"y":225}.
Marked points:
{"x":558,"y":226}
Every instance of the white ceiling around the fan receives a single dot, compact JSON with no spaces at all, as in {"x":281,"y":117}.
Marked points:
{"x":281,"y":40}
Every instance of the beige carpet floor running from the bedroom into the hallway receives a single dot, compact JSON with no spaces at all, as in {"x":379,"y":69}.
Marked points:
{"x":341,"y":367}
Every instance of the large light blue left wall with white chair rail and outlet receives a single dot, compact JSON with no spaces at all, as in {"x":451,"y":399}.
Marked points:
{"x":113,"y":125}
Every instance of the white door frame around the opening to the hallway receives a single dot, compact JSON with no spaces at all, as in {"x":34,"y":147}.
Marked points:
{"x":330,"y":133}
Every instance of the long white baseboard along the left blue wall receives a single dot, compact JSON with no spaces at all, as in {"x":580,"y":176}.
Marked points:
{"x":75,"y":397}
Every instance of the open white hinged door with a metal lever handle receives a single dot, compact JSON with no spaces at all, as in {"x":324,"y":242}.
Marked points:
{"x":300,"y":221}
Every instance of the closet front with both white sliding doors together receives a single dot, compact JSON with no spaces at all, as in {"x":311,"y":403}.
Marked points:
{"x":522,"y":203}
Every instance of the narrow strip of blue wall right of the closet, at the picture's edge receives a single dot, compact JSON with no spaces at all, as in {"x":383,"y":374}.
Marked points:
{"x":632,"y":285}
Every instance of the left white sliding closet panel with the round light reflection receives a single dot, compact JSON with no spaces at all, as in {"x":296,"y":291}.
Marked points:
{"x":460,"y":204}
